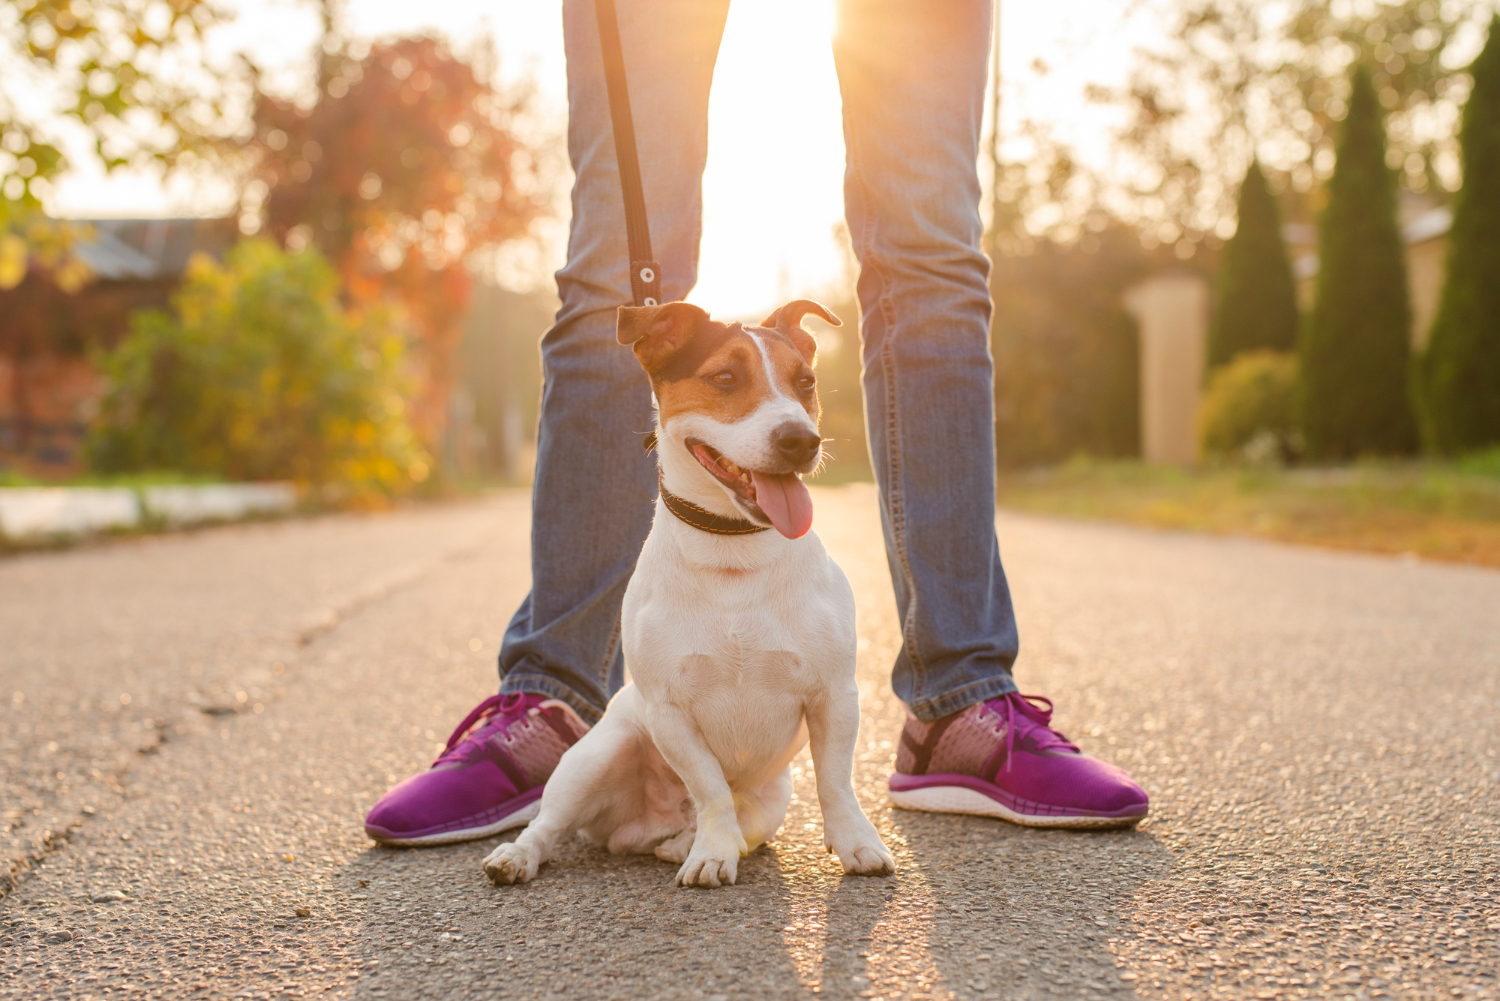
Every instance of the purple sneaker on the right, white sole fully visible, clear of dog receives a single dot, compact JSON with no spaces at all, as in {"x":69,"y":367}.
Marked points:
{"x":1003,"y":759}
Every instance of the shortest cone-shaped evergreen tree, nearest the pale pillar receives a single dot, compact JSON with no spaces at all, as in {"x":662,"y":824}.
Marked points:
{"x":1255,"y":298}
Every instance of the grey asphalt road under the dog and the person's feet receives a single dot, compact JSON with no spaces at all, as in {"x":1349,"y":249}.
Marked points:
{"x":191,"y":729}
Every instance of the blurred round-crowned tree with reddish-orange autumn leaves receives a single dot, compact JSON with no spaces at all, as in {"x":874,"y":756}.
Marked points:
{"x":403,"y":172}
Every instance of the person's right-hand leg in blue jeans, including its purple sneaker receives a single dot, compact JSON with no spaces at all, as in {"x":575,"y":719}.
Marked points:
{"x":913,"y":80}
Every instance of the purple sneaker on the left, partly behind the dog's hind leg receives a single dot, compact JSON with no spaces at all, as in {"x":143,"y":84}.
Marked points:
{"x":487,"y":781}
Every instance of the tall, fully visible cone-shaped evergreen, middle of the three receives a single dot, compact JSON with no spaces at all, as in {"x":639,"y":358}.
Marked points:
{"x":1357,"y":347}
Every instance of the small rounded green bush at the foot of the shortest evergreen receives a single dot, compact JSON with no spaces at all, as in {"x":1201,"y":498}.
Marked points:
{"x":1249,"y":409}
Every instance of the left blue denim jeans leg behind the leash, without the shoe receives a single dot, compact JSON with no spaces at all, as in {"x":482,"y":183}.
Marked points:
{"x":595,"y":485}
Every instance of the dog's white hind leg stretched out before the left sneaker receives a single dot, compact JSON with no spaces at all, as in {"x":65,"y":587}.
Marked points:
{"x":583,"y":787}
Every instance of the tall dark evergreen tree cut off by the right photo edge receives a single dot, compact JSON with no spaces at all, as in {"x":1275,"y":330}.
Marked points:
{"x":1459,"y":385}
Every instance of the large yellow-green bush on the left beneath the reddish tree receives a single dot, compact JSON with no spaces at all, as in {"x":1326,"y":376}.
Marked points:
{"x":257,"y":374}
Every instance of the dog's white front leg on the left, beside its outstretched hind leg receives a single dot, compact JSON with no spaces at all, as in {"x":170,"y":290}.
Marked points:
{"x":718,"y":846}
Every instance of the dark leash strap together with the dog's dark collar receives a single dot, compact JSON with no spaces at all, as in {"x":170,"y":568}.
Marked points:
{"x":646,"y":274}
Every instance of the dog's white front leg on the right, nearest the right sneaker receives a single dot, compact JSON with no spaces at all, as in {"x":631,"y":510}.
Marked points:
{"x":833,"y":730}
